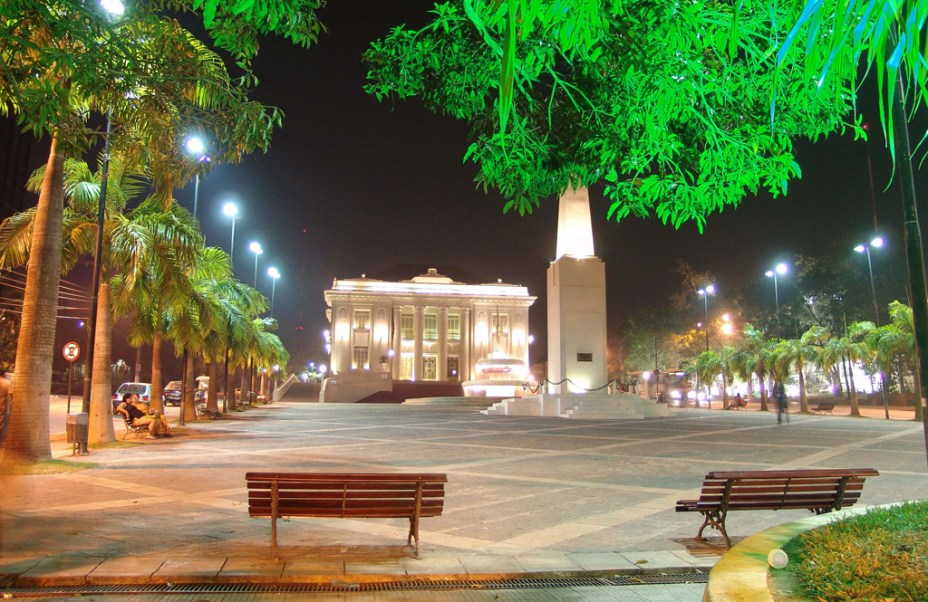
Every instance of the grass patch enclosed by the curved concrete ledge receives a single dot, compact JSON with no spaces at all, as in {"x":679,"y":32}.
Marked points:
{"x":880,"y":555}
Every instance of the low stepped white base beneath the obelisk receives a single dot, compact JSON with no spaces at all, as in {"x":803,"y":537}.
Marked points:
{"x":621,"y":406}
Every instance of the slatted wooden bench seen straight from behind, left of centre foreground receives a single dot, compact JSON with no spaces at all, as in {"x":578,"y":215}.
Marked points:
{"x":346,"y":495}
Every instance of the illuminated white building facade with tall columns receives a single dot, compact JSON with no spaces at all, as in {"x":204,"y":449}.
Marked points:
{"x":429,"y":328}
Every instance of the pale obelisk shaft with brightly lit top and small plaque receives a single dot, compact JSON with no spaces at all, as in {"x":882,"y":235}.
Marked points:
{"x":576,"y":301}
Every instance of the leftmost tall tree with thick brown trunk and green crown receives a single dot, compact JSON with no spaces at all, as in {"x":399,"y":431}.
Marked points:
{"x":154,"y":80}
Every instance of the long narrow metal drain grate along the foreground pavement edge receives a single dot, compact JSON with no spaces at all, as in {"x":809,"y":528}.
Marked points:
{"x":348,"y":586}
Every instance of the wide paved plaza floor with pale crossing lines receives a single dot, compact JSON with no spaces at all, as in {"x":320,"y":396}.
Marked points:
{"x":525,"y":496}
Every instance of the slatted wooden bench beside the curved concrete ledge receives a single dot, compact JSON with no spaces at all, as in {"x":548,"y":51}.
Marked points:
{"x":817,"y":490}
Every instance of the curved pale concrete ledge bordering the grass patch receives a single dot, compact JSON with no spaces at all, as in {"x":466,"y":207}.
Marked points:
{"x":741,"y":573}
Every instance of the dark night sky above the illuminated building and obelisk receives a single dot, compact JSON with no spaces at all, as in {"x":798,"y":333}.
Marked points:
{"x":354,"y":186}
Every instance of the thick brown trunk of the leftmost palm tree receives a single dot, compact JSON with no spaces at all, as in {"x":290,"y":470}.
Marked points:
{"x":27,"y":435}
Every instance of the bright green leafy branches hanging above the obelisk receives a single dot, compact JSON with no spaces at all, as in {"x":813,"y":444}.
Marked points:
{"x":660,"y":101}
